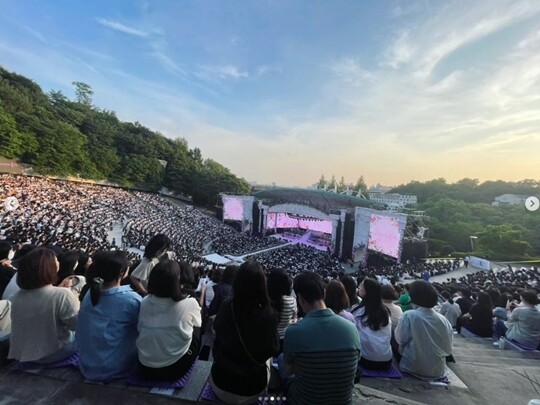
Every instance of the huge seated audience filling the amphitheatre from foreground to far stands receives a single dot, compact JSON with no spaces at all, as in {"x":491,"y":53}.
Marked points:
{"x":66,"y":289}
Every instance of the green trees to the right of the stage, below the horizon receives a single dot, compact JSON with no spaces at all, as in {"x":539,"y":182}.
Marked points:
{"x":463,"y":209}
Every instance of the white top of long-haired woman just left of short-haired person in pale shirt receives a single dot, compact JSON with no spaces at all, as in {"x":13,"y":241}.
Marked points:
{"x":374,"y":345}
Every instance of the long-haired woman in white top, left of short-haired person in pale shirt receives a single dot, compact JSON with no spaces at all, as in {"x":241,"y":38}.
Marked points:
{"x":374,"y":326}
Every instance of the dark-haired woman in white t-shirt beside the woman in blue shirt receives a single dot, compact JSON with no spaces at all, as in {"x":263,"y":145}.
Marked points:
{"x":169,"y":326}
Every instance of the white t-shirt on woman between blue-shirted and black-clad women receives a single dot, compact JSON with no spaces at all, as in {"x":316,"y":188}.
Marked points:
{"x":166,"y":329}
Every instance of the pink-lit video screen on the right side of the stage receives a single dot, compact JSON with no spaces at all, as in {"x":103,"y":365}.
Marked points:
{"x":384,"y":235}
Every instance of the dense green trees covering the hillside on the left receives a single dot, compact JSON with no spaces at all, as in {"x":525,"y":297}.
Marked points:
{"x":73,"y":137}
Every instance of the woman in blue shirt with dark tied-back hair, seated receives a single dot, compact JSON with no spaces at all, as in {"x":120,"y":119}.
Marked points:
{"x":107,"y":327}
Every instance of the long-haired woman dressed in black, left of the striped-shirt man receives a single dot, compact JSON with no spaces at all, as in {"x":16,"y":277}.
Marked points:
{"x":246,"y":339}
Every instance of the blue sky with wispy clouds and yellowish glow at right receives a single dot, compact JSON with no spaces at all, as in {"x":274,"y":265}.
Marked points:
{"x":284,"y":91}
